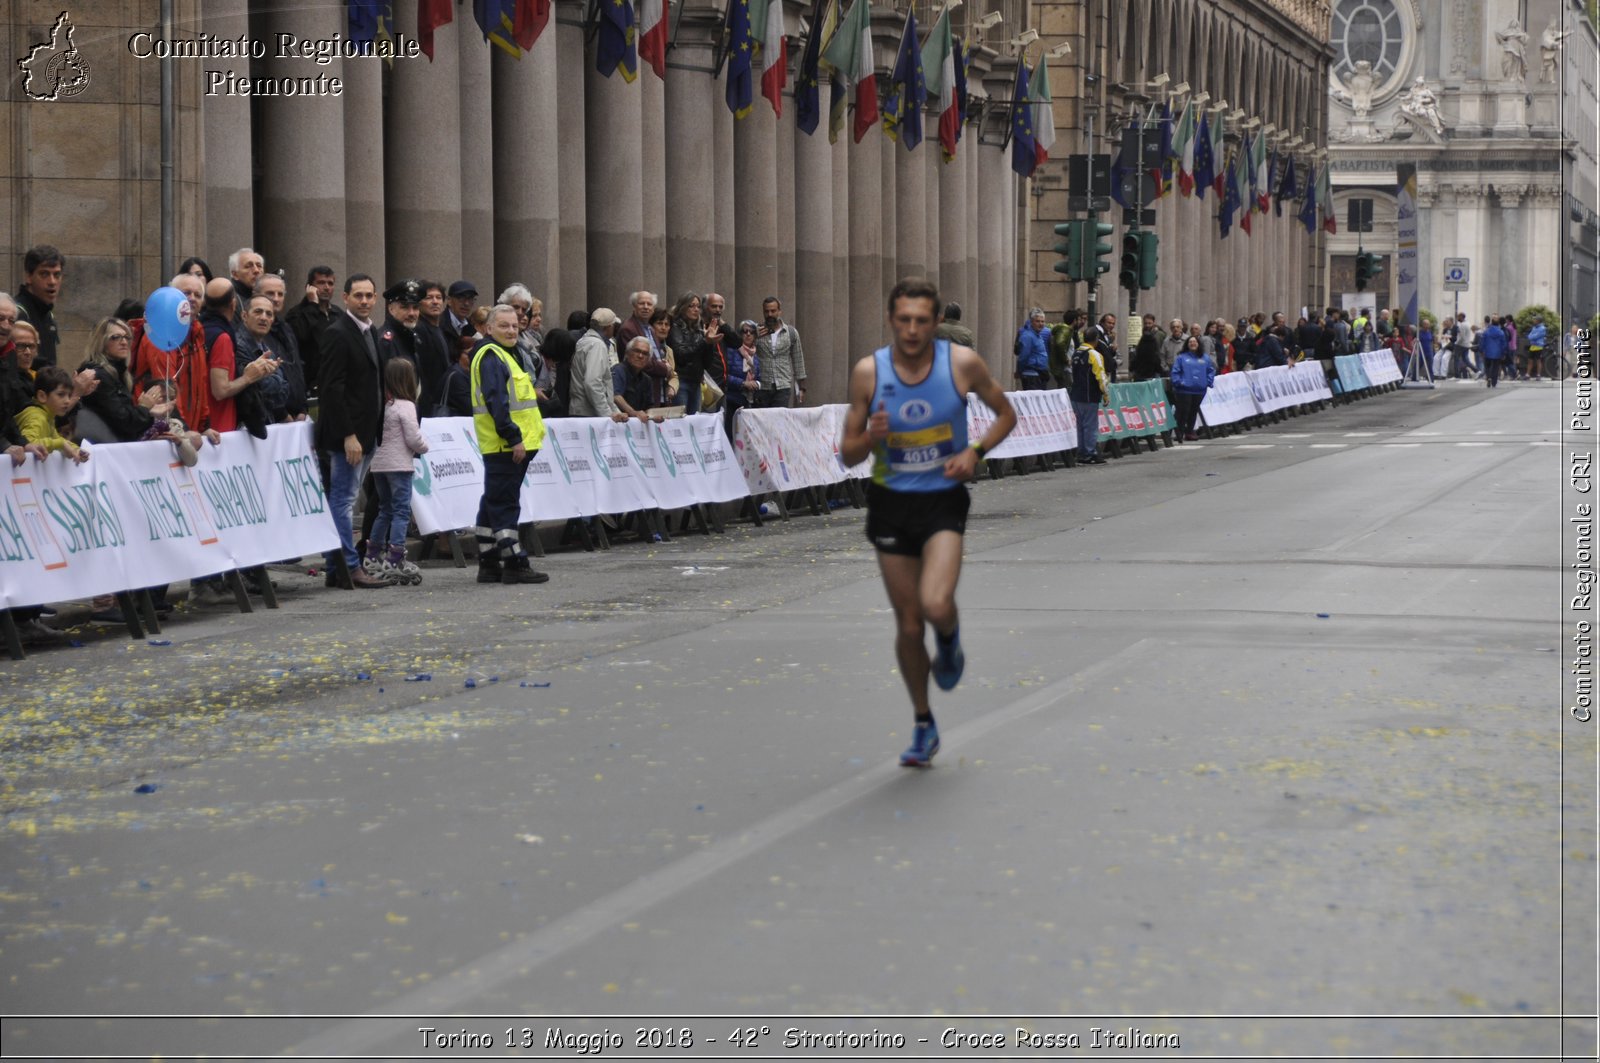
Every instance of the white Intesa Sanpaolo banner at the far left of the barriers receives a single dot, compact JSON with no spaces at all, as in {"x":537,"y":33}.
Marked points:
{"x":134,"y":516}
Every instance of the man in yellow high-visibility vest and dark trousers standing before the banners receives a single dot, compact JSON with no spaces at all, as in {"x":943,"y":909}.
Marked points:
{"x":510,"y":430}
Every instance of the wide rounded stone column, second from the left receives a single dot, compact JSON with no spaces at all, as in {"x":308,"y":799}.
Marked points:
{"x":303,"y":220}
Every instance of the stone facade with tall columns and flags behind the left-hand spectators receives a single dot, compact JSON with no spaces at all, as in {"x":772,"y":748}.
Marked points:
{"x":482,"y":166}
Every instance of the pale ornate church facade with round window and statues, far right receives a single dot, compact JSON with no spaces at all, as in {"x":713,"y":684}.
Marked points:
{"x":1494,"y":102}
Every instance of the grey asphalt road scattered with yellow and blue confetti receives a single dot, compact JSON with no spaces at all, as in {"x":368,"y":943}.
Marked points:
{"x":1254,"y":729}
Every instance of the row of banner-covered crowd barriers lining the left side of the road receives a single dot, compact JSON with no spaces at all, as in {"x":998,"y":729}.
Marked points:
{"x":134,"y":516}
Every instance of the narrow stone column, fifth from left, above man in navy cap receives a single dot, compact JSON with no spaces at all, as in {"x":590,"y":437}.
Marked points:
{"x":478,"y":153}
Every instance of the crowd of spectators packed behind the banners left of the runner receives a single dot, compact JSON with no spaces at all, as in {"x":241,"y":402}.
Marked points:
{"x":366,"y":366}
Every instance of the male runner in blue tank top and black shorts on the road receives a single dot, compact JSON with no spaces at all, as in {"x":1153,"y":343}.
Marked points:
{"x":908,"y":409}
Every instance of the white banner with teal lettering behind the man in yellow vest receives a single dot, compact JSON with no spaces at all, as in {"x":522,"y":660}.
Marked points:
{"x":586,"y":467}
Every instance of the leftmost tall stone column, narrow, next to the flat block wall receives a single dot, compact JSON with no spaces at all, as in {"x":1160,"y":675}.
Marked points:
{"x":230,"y":203}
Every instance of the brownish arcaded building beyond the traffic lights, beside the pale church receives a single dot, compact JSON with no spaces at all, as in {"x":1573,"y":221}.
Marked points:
{"x":1268,"y":62}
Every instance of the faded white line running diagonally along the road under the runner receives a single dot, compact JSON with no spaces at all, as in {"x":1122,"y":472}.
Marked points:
{"x":449,"y":993}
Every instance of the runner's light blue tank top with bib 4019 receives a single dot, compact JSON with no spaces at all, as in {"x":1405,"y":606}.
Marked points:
{"x":927,"y":425}
